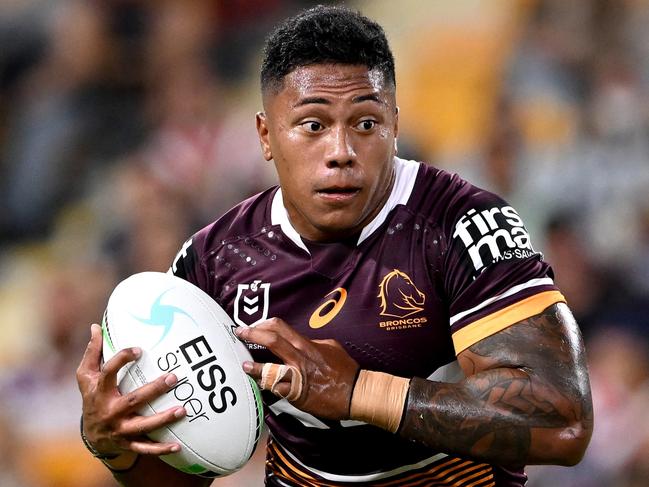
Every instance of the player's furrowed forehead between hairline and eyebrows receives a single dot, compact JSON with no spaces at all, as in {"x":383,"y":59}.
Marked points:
{"x":333,"y":81}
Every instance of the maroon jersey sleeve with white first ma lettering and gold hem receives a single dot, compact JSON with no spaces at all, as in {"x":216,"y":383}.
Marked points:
{"x":493,"y":277}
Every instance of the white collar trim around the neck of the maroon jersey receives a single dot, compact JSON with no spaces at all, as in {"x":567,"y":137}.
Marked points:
{"x":404,"y":181}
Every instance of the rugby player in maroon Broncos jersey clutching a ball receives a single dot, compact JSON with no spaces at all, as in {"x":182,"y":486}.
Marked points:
{"x":405,"y":331}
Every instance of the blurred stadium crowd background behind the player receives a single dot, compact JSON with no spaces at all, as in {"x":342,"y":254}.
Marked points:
{"x":126,"y":125}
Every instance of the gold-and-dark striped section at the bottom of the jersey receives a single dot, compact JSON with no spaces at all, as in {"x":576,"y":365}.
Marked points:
{"x":446,"y":472}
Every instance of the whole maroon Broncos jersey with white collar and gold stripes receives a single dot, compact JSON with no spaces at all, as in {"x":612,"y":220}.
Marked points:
{"x":443,"y":265}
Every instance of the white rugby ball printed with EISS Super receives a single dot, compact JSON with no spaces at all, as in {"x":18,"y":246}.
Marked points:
{"x":182,"y":330}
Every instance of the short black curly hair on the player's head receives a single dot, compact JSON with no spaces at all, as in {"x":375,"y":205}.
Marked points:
{"x":325,"y":34}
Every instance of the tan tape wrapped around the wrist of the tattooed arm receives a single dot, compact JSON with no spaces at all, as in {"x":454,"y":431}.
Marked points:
{"x":379,"y":398}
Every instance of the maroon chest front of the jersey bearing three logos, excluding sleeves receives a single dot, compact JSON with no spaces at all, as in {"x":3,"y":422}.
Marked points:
{"x":380,"y":299}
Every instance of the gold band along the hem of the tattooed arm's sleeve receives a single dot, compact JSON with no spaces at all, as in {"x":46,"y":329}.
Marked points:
{"x":503,"y":318}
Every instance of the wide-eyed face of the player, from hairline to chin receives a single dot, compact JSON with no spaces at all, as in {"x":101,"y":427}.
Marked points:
{"x":331,"y":132}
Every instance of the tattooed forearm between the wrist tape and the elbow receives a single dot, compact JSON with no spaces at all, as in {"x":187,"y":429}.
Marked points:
{"x":493,"y":417}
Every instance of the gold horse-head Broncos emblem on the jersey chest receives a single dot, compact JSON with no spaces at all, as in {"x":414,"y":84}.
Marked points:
{"x":399,"y":296}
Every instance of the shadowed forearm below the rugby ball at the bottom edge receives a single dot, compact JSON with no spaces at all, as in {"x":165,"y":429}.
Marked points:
{"x":151,"y":471}
